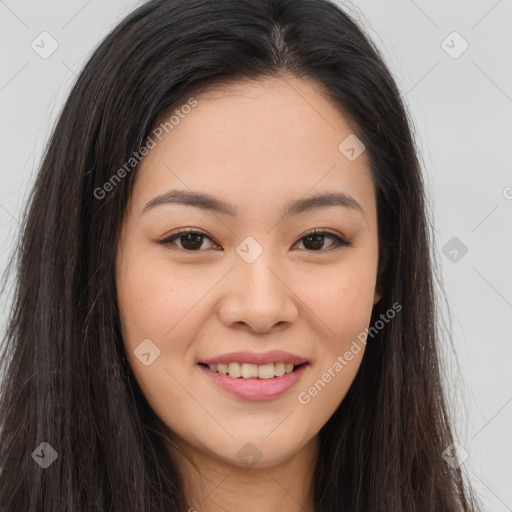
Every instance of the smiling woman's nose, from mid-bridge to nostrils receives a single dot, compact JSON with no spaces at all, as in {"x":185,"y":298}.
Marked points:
{"x":258,"y":297}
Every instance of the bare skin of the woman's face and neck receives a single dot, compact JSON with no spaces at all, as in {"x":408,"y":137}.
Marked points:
{"x":257,"y":145}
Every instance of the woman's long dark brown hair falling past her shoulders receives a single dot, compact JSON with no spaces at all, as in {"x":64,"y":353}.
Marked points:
{"x":66,"y":380}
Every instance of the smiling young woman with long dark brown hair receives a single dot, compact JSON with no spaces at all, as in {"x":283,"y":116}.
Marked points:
{"x":225,"y":291}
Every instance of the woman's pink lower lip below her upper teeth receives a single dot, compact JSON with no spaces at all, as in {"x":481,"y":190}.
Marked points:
{"x":255,"y":389}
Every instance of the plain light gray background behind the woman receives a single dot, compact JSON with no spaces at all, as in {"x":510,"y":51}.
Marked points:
{"x":462,"y":113}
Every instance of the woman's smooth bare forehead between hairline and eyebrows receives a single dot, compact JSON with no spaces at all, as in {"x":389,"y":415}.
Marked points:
{"x":257,"y":144}
